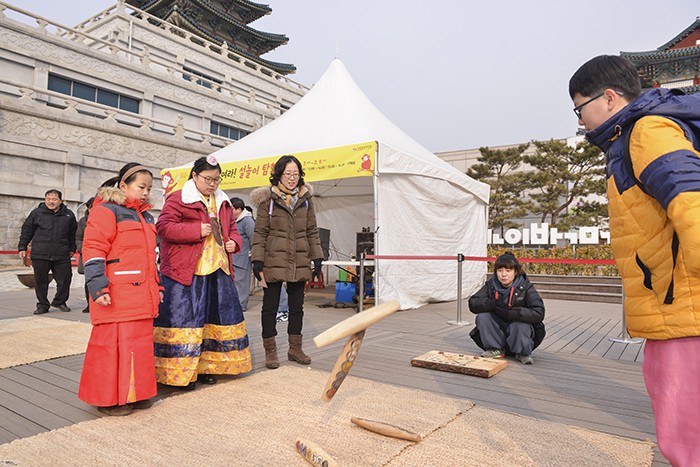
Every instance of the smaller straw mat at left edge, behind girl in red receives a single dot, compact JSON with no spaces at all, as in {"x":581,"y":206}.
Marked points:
{"x":36,"y":338}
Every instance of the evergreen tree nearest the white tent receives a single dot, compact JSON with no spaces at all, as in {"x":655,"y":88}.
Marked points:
{"x":496,"y":167}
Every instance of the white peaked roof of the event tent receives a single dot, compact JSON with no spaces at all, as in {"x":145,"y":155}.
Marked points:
{"x":335,"y":112}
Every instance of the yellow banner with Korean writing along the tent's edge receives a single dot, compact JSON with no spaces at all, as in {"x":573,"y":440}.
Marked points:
{"x":357,"y":160}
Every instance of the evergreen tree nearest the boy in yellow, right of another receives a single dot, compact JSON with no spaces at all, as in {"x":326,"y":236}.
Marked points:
{"x":565,"y":174}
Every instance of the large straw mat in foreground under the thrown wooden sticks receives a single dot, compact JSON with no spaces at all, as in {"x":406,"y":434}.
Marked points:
{"x":256,"y":419}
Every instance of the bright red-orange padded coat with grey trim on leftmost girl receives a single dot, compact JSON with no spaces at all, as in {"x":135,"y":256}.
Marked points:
{"x":120,"y":259}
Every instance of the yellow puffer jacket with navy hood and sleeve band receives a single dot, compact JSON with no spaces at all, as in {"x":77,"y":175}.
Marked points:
{"x":662,"y":299}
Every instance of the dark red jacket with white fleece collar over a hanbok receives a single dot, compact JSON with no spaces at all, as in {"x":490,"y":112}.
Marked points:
{"x":179,"y":228}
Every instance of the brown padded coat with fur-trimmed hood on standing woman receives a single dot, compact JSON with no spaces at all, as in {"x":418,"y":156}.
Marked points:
{"x":285,"y":240}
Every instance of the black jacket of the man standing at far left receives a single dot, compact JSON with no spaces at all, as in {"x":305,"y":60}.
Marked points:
{"x":52,"y":233}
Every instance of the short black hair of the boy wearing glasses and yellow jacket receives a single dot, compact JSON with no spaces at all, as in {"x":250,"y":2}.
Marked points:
{"x":606,"y":72}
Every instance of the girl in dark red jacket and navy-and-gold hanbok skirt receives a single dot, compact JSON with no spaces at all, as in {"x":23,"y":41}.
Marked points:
{"x":200,"y":329}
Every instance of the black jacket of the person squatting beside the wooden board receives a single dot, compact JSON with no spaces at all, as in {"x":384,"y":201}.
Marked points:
{"x":526,"y":306}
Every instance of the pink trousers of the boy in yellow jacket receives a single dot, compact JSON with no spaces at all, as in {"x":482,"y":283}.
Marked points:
{"x":672,"y":376}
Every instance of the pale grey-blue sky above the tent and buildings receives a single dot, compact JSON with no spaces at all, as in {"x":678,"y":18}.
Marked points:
{"x":453,"y":74}
